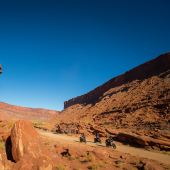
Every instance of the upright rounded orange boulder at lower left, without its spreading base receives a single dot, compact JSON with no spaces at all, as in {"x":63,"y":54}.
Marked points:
{"x":25,"y":140}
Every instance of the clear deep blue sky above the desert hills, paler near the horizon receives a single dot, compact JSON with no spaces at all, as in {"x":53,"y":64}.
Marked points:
{"x":52,"y":51}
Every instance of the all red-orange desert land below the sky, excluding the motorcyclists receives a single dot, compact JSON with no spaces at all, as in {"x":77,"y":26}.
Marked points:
{"x":133,"y":108}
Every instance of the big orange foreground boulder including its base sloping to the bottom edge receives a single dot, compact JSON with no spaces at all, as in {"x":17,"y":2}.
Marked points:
{"x":28,"y":151}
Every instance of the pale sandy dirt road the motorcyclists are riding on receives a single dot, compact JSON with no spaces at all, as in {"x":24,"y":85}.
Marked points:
{"x":163,"y":158}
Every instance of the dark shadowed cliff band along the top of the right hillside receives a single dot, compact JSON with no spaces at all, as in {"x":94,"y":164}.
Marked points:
{"x":154,"y":67}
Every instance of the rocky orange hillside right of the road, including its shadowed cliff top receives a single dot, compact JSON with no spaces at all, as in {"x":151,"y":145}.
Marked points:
{"x":136,"y":102}
